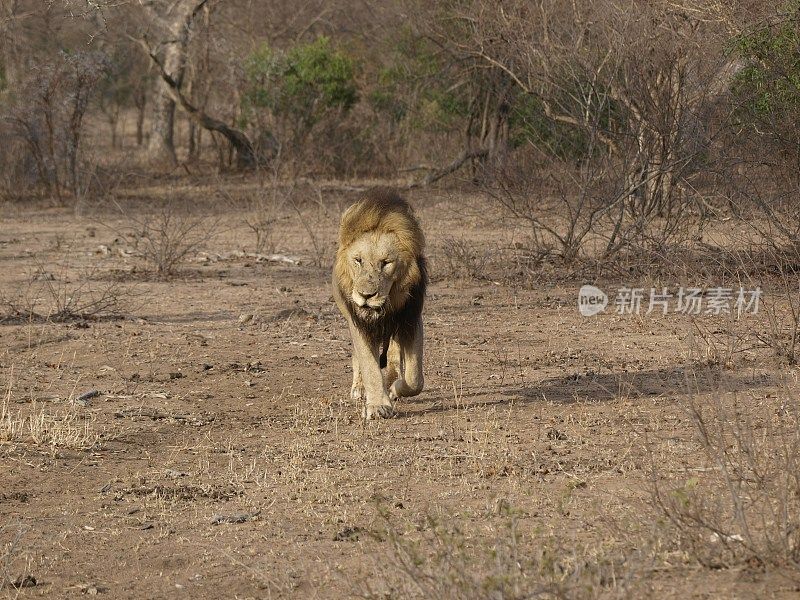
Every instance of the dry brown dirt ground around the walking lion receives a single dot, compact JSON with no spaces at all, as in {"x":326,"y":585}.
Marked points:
{"x":223,"y":458}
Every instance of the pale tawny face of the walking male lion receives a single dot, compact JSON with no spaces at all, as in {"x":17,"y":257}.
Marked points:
{"x":373,"y":262}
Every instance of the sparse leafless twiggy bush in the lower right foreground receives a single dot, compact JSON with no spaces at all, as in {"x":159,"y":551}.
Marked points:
{"x":743,"y":506}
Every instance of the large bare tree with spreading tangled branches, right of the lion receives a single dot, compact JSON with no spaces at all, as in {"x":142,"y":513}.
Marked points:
{"x":653,"y":68}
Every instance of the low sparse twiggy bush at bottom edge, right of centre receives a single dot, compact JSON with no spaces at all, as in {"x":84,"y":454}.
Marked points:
{"x":442,"y":561}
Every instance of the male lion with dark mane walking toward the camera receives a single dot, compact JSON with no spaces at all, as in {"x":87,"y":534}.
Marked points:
{"x":379,"y":281}
